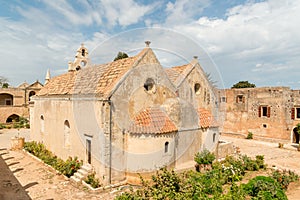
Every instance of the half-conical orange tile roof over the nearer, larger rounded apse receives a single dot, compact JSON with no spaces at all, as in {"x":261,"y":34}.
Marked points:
{"x":152,"y":120}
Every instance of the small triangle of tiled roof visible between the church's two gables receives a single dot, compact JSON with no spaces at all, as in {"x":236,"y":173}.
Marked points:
{"x":176,"y":74}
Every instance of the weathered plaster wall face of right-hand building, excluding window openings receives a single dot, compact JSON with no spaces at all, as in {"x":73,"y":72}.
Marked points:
{"x":243,"y":116}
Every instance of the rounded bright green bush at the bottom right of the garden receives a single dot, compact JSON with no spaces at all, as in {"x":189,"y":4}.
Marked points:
{"x":263,"y":187}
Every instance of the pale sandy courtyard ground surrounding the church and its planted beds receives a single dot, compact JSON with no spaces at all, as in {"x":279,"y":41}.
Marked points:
{"x":23,"y":177}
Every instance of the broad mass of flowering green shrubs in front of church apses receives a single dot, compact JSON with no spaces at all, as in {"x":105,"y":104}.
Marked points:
{"x":210,"y":184}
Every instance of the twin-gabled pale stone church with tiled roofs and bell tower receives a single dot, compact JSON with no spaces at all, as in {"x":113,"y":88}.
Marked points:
{"x":128,"y":116}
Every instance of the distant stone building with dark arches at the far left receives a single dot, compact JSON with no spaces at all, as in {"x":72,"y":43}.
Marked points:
{"x":14,"y":101}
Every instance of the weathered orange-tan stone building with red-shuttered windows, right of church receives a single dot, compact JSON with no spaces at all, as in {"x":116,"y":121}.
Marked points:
{"x":269,"y":112}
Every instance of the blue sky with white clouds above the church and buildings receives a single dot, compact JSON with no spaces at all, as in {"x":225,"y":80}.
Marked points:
{"x":253,"y":40}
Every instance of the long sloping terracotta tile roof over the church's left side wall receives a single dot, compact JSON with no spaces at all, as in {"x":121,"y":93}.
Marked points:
{"x":99,"y":80}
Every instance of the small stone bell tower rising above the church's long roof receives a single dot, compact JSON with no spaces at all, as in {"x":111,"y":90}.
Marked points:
{"x":81,"y":59}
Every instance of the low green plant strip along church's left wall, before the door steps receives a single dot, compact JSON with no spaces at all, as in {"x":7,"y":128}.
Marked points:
{"x":67,"y":168}
